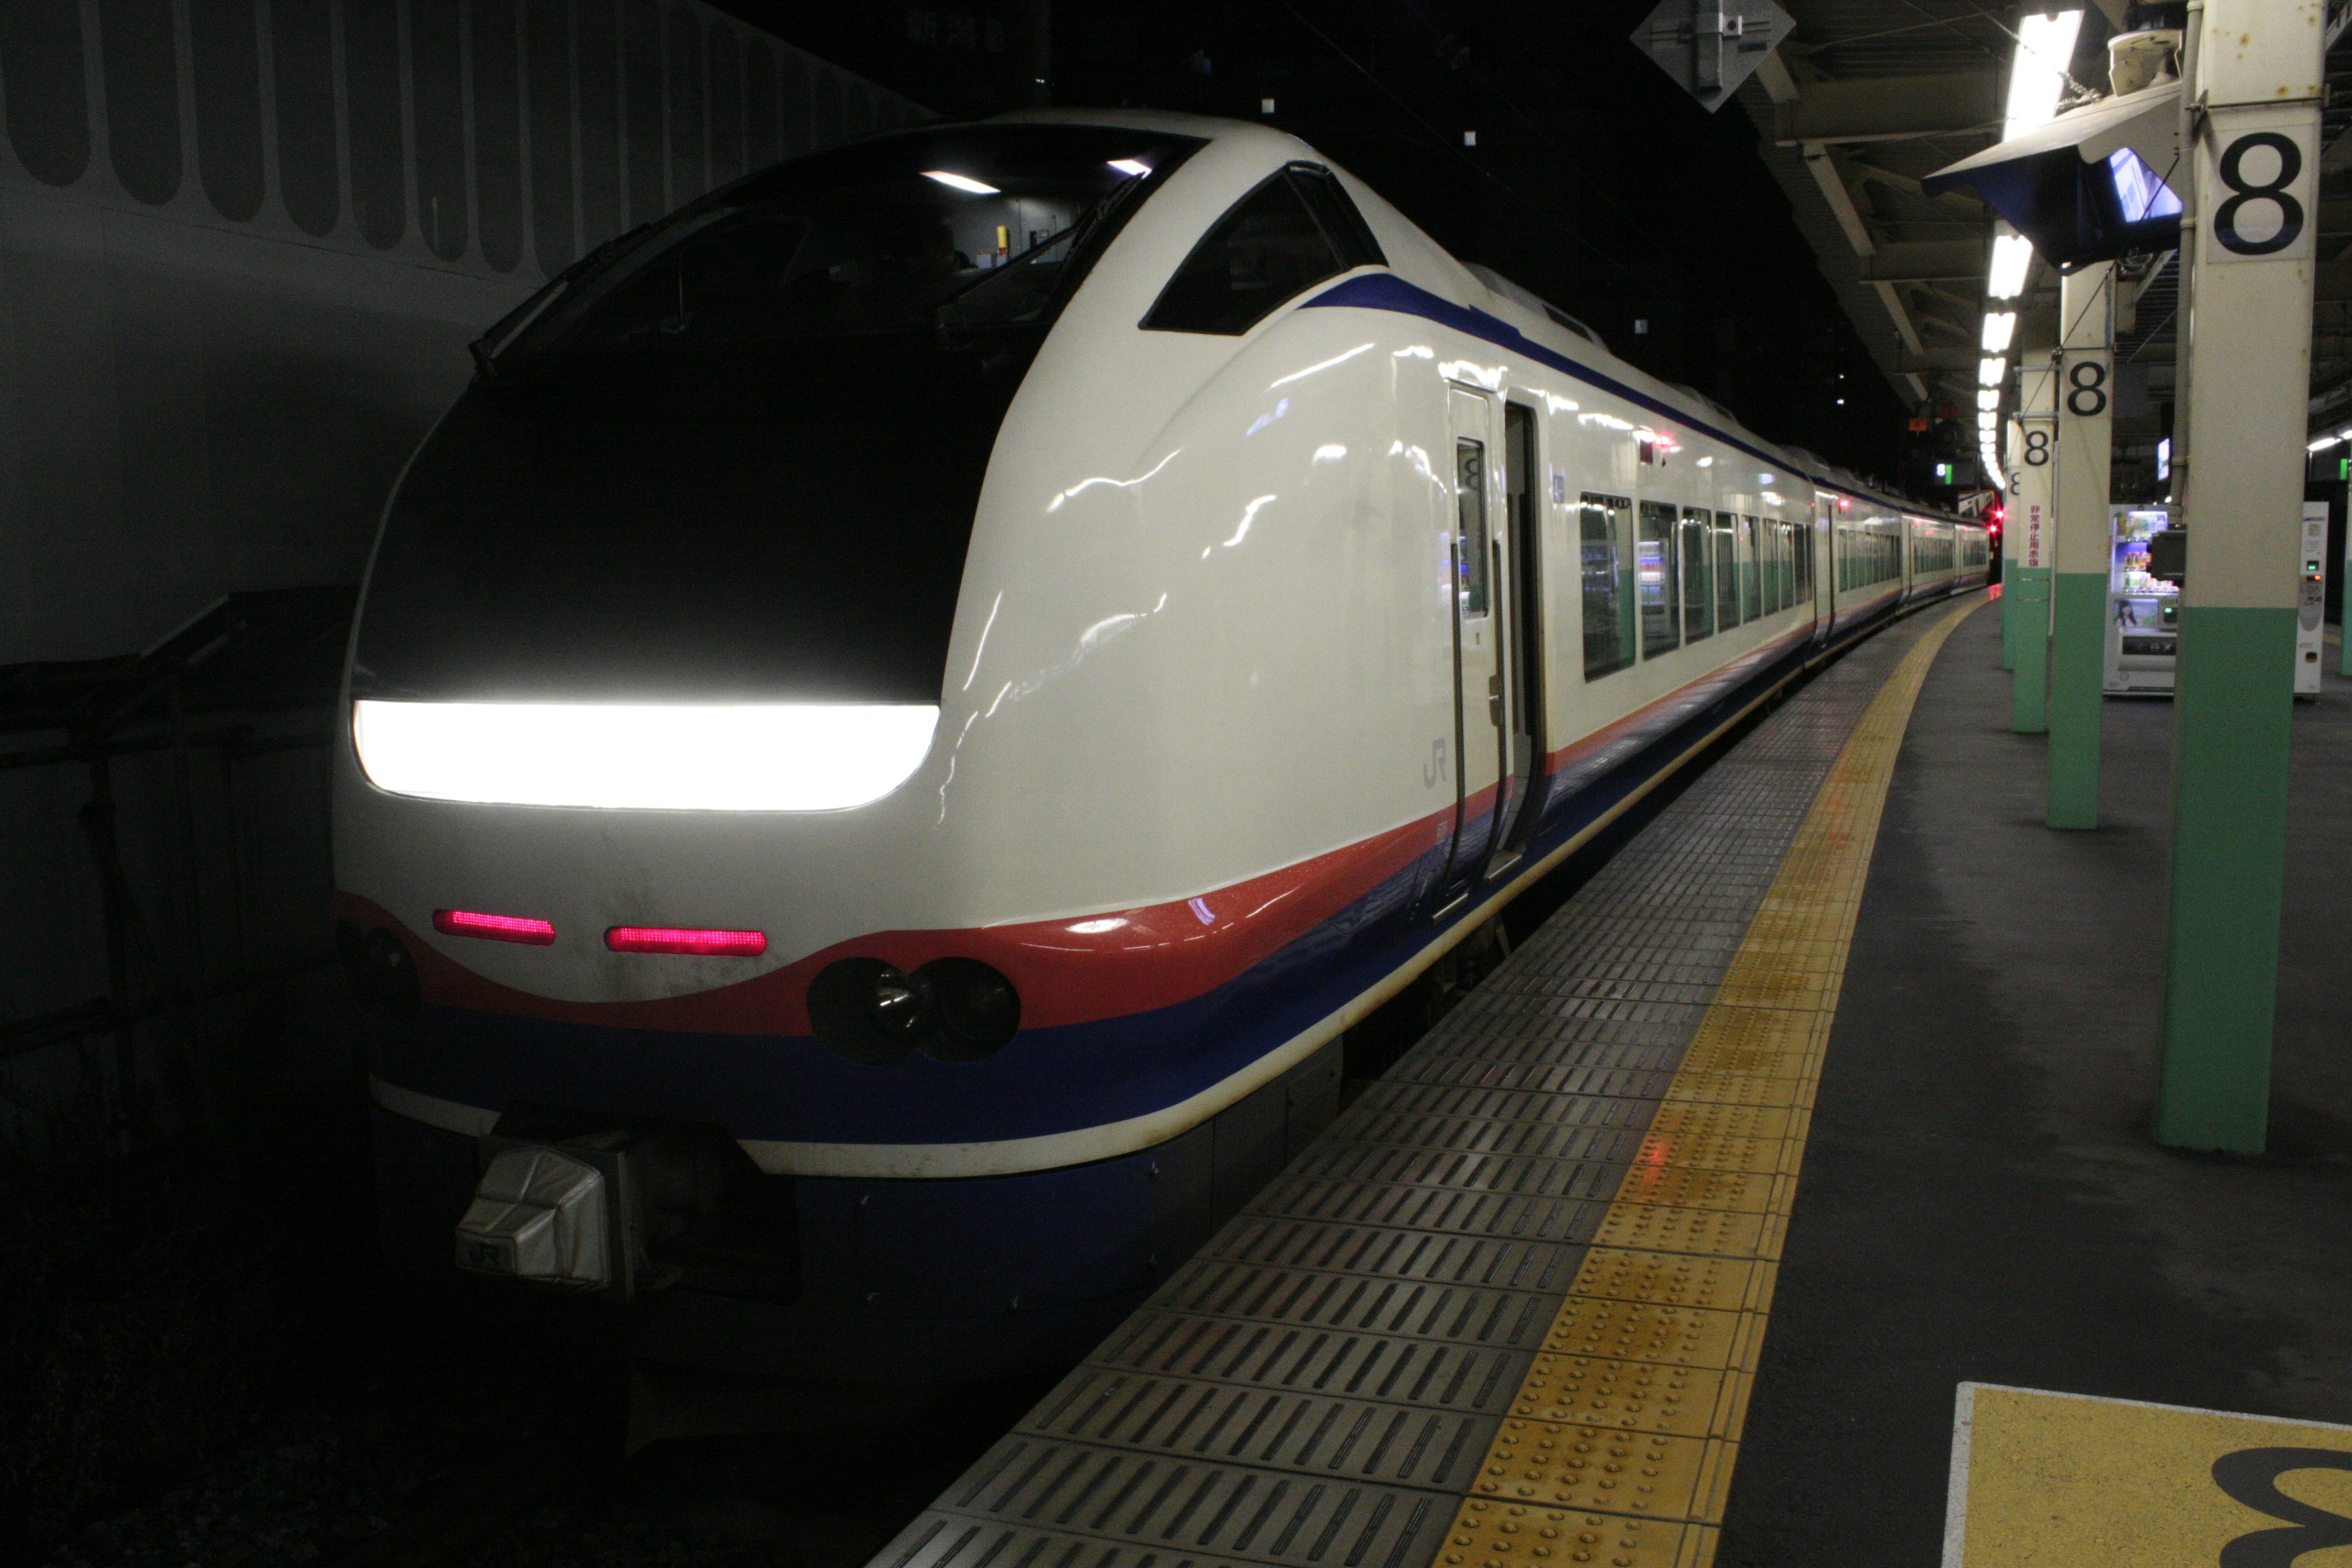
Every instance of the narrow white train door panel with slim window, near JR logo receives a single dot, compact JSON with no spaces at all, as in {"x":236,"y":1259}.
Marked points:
{"x":1481,"y":702}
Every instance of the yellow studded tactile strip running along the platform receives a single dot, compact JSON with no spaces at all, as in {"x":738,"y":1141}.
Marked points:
{"x":1622,"y":1442}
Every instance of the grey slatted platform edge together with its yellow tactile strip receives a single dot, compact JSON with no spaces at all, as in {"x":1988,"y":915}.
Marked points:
{"x":1506,"y":1308}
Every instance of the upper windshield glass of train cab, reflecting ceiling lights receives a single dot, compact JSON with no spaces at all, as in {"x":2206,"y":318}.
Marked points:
{"x":968,"y":227}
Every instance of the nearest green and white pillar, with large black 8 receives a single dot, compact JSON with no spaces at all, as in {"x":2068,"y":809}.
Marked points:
{"x":2250,"y":239}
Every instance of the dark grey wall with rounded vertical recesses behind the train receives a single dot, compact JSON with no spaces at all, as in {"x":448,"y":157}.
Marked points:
{"x":234,"y":295}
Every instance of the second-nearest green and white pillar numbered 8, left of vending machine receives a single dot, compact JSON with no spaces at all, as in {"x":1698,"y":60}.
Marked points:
{"x":2085,"y":540}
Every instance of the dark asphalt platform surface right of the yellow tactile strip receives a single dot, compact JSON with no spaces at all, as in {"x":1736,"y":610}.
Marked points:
{"x":1982,"y":1200}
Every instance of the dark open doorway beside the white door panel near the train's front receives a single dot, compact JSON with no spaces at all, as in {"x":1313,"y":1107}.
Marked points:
{"x":1518,"y":570}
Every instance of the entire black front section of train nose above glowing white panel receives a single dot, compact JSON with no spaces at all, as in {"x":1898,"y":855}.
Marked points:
{"x":737,"y":457}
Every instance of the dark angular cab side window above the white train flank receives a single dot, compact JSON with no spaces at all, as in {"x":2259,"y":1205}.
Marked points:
{"x":1278,"y":241}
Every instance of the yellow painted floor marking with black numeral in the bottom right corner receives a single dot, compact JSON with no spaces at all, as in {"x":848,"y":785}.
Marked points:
{"x":2043,"y":1477}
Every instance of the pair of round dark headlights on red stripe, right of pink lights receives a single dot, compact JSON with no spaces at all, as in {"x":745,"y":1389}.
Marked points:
{"x":949,"y":1010}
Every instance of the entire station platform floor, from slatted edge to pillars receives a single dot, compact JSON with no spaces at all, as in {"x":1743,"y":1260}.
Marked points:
{"x":1688,"y":1235}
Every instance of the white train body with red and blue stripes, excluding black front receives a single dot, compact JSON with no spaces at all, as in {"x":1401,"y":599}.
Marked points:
{"x":1222,"y":737}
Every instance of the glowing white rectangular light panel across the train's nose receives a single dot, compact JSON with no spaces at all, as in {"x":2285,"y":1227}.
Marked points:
{"x":646,"y":758}
